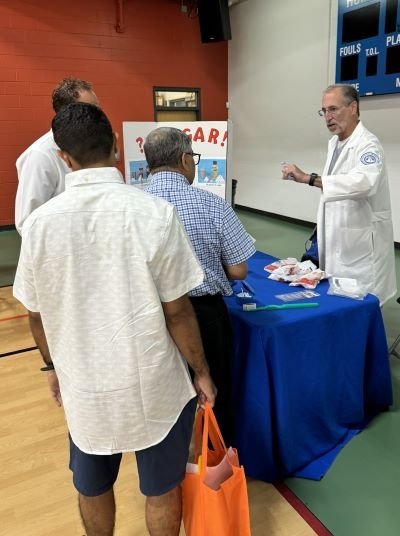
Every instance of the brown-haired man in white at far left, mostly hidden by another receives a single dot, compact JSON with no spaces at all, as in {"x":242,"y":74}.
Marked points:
{"x":41,"y":171}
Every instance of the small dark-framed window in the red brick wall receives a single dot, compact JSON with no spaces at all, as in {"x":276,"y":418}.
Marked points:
{"x":176,"y":104}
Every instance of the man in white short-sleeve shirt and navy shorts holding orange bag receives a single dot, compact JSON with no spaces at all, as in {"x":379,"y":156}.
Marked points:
{"x":104,"y":272}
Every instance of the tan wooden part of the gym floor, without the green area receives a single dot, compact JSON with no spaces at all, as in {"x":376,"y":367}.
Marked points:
{"x":36,"y":493}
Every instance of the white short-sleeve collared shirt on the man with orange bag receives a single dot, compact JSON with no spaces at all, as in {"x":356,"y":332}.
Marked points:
{"x":96,"y":262}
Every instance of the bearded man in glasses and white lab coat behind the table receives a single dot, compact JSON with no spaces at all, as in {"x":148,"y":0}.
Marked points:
{"x":355,"y":232}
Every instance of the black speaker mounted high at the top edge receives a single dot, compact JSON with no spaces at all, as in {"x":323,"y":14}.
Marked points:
{"x":214,"y":20}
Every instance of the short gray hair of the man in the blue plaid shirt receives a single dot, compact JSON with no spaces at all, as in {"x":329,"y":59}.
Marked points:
{"x":164,"y":146}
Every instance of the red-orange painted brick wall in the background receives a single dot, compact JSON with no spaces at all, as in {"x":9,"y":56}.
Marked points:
{"x":43,"y":41}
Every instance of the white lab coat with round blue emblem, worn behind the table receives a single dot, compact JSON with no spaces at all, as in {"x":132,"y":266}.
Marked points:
{"x":355,"y":232}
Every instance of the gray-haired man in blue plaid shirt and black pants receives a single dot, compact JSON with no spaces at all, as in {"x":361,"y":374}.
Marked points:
{"x":222,"y":246}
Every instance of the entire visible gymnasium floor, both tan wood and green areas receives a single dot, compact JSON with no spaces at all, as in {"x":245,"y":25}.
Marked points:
{"x":358,"y":496}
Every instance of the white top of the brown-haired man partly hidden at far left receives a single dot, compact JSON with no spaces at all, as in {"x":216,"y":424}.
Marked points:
{"x":41,"y":176}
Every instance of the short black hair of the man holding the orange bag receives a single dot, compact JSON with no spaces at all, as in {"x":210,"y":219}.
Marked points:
{"x":84,"y":132}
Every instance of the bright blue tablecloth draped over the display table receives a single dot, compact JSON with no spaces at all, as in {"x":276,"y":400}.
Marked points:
{"x":305,"y":380}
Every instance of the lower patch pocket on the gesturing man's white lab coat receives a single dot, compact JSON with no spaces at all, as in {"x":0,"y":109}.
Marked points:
{"x":355,"y":246}
